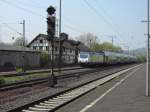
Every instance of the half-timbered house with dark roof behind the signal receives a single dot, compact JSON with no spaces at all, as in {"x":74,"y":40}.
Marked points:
{"x":69,"y":54}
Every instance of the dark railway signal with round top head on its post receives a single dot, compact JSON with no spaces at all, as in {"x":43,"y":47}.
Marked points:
{"x":51,"y":20}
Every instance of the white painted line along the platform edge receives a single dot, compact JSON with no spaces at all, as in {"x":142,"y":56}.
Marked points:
{"x":108,"y":91}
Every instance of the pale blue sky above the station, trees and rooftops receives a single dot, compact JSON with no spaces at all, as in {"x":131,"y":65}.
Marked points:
{"x":120,"y":19}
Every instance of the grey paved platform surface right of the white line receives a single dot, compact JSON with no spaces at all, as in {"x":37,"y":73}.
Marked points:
{"x":129,"y":96}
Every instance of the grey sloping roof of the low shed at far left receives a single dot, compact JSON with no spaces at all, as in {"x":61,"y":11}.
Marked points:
{"x":5,"y":47}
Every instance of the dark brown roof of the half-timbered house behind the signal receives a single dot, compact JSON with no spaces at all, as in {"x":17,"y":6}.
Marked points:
{"x":66,"y":44}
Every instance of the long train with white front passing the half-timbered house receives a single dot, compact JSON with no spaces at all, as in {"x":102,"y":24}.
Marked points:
{"x":104,"y":57}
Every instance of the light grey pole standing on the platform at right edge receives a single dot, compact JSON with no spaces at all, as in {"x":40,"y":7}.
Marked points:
{"x":147,"y":68}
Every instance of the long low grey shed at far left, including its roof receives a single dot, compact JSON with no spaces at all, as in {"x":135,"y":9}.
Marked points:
{"x":16,"y":56}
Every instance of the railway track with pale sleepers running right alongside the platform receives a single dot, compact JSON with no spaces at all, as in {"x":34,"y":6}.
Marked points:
{"x":52,"y":103}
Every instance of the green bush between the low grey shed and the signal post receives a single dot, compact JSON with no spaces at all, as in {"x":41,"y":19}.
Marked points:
{"x":44,"y":59}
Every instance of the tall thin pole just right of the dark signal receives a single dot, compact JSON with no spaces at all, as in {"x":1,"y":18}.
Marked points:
{"x":60,"y":36}
